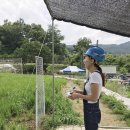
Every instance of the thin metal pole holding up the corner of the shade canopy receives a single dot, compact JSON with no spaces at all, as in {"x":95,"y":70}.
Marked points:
{"x":53,"y":89}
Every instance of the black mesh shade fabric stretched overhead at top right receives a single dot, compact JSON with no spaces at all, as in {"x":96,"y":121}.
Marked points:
{"x":107,"y":15}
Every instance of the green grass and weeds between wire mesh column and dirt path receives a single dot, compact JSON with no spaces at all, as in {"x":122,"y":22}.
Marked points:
{"x":63,"y":112}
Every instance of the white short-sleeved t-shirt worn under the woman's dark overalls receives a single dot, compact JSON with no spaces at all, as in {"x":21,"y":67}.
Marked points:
{"x":94,"y":77}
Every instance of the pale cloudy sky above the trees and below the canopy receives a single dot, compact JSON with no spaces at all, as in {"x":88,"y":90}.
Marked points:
{"x":35,"y":11}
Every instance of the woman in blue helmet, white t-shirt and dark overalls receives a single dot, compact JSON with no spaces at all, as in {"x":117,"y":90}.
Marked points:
{"x":92,"y":88}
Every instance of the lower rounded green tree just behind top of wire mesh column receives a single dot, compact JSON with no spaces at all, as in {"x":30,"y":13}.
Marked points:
{"x":29,"y":50}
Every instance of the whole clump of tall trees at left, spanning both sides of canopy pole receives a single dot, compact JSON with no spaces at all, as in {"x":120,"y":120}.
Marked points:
{"x":21,"y":38}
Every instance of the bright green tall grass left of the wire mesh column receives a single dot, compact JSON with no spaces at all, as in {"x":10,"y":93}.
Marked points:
{"x":17,"y":95}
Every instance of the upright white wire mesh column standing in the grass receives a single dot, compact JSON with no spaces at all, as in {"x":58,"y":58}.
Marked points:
{"x":40,"y":93}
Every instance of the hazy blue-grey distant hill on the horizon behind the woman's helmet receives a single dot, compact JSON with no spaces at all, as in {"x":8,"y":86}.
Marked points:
{"x":123,"y":48}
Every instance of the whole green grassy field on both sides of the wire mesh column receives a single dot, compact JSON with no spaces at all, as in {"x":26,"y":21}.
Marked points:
{"x":17,"y":100}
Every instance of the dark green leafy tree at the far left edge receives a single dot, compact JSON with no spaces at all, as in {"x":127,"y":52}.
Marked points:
{"x":10,"y":36}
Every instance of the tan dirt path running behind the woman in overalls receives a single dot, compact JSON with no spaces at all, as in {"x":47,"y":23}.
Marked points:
{"x":108,"y":118}
